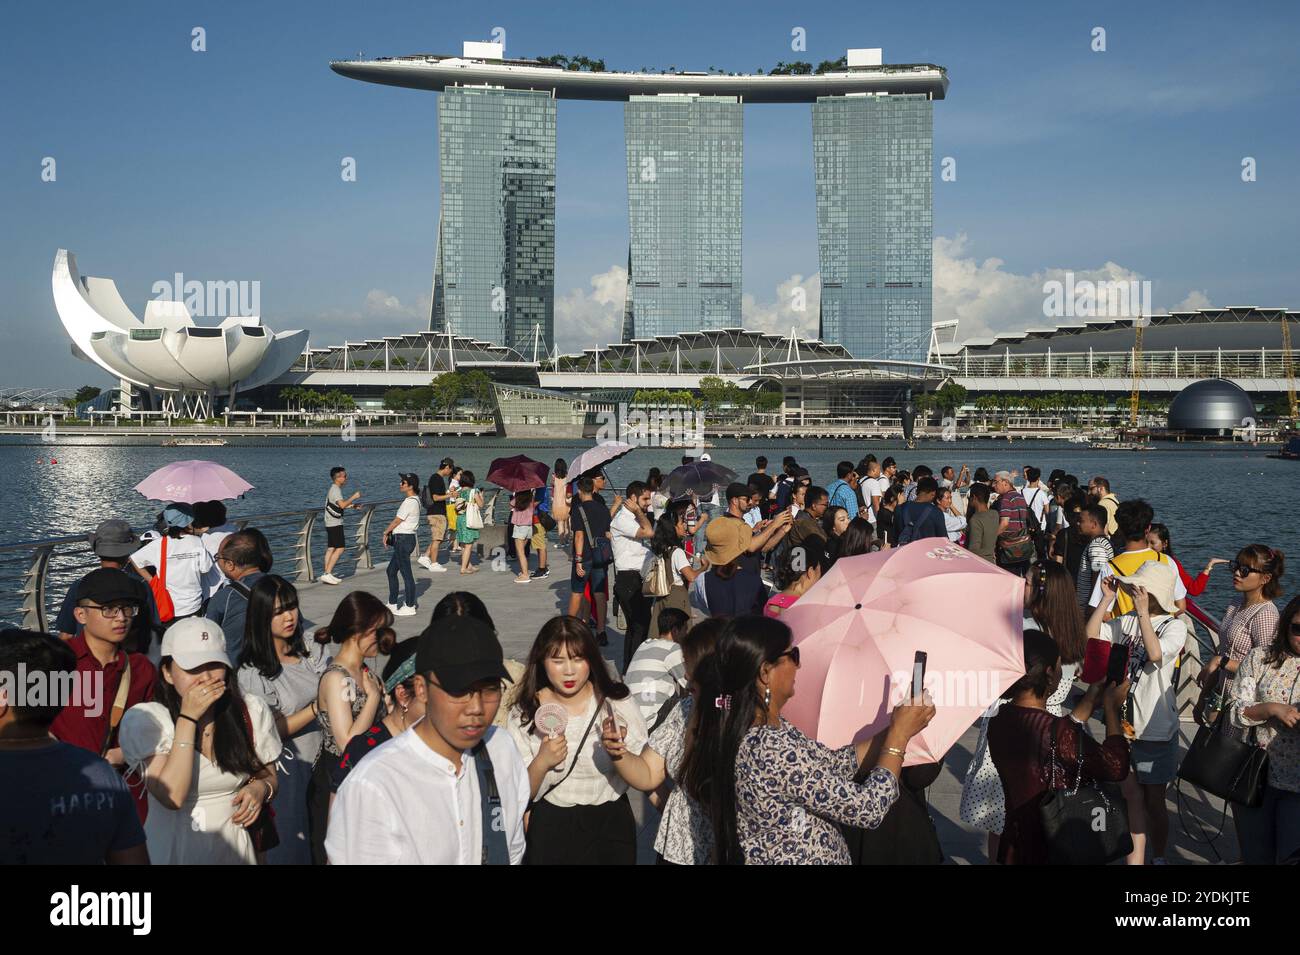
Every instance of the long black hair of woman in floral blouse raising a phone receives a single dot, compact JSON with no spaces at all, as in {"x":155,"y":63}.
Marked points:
{"x":729,"y":707}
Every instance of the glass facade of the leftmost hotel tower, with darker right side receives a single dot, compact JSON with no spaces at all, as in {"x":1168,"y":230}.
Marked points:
{"x":495,"y":271}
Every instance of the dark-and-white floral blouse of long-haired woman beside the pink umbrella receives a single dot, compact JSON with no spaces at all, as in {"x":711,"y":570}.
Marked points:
{"x":791,"y":792}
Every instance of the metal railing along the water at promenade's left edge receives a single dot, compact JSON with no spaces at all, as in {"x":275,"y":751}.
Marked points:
{"x":36,"y":576}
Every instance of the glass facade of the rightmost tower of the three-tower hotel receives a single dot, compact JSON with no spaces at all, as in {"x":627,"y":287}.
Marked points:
{"x":873,"y":162}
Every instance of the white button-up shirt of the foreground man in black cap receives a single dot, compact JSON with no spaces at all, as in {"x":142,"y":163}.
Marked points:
{"x":406,"y":805}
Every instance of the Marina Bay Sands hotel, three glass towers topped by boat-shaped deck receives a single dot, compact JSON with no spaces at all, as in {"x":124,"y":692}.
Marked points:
{"x":495,"y":270}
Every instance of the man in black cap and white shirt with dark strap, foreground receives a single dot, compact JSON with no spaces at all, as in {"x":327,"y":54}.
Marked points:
{"x":453,"y":789}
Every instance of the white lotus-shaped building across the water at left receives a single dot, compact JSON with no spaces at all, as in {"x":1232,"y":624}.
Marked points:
{"x":167,"y":351}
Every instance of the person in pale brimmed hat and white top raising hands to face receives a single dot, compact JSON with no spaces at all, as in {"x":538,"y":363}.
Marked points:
{"x":1156,"y":636}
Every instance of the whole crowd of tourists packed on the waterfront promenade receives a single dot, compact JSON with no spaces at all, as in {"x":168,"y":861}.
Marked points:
{"x":224,"y":732}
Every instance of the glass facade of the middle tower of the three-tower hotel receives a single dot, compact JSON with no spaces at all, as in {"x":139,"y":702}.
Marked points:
{"x":684,"y":209}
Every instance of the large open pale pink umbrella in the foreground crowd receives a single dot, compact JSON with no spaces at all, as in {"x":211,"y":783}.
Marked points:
{"x":860,"y":627}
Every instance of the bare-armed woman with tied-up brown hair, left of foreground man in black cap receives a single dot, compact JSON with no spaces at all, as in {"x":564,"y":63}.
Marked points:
{"x":350,"y":698}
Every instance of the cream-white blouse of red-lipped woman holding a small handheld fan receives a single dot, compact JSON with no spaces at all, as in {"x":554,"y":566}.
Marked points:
{"x":595,"y":782}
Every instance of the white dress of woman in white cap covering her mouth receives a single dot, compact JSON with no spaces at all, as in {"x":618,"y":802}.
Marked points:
{"x":201,"y":832}
